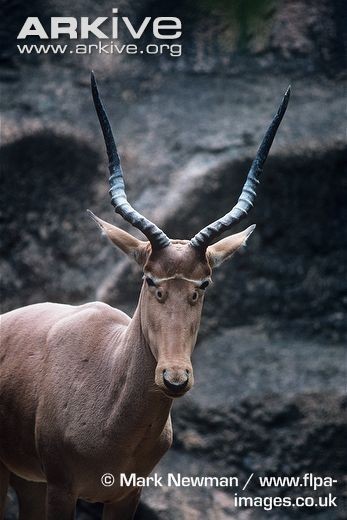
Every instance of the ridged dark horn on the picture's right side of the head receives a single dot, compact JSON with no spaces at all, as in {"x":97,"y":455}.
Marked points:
{"x":246,"y":200}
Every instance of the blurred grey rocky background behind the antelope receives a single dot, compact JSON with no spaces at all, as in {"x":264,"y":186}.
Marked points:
{"x":270,"y":363}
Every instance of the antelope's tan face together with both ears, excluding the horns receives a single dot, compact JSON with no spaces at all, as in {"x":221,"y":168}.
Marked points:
{"x":174,"y":283}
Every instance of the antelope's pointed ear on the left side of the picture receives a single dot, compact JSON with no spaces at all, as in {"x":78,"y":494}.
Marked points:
{"x":131,"y":246}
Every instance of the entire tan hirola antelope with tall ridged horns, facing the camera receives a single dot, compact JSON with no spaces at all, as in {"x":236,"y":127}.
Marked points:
{"x":86,"y":390}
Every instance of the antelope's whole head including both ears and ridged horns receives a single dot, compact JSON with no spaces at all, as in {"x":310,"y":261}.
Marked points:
{"x":176,"y":272}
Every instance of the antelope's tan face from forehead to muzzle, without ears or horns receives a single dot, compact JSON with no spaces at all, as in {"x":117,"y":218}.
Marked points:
{"x":175,"y":280}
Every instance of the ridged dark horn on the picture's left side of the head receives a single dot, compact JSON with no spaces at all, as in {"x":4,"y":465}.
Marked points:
{"x":119,"y":200}
